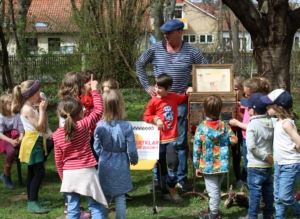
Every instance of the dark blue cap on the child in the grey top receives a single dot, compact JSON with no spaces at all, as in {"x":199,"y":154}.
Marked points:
{"x":255,"y":102}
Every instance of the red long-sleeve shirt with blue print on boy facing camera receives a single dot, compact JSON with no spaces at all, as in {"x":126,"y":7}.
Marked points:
{"x":165,"y":108}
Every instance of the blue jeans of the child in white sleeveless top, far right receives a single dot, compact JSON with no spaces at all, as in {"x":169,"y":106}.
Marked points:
{"x":285,"y":180}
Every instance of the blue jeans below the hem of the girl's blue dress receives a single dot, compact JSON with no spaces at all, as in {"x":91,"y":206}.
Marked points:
{"x":120,"y":204}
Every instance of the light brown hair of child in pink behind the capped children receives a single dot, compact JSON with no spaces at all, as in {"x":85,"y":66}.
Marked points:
{"x":258,"y":85}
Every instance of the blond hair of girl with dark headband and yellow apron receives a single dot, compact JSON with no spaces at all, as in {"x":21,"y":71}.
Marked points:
{"x":17,"y":98}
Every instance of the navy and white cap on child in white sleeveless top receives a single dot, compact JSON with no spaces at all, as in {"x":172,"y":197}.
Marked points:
{"x":280,"y":97}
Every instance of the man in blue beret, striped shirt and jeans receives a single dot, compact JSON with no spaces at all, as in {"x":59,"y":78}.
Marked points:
{"x":175,"y":58}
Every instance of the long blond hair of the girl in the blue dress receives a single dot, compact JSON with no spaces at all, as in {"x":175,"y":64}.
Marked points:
{"x":113,"y":105}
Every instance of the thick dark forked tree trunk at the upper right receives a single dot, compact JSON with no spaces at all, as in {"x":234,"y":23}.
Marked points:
{"x":272,"y":27}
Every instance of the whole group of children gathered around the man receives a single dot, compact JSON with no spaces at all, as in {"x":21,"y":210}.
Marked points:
{"x":94,"y":140}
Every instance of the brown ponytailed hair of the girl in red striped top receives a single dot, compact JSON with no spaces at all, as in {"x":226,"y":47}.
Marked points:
{"x":69,"y":108}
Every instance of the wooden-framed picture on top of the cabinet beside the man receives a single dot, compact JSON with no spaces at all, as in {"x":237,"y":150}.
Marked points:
{"x":213,"y":78}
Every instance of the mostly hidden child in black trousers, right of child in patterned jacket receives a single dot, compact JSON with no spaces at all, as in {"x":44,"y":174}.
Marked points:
{"x":235,"y":149}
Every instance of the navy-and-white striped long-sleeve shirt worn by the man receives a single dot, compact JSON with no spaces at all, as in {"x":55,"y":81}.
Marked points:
{"x":178,"y":65}
